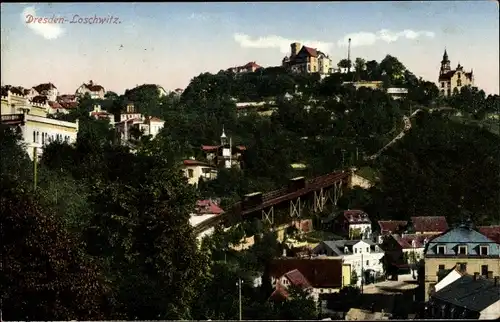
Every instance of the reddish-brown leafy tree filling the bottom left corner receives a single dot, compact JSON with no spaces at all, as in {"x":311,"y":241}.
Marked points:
{"x":45,"y":276}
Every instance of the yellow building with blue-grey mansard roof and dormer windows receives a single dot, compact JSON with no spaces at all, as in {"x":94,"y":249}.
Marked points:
{"x":462,"y":247}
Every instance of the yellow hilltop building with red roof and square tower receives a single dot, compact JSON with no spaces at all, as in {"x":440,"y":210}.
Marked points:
{"x":307,"y":60}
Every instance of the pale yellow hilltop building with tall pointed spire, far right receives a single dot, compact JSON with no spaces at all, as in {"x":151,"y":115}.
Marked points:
{"x":449,"y":79}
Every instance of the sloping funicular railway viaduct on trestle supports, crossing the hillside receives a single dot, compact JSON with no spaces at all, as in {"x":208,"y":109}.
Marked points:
{"x":286,"y":204}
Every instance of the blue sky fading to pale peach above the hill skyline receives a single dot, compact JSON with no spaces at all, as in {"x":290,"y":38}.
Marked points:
{"x":170,"y":43}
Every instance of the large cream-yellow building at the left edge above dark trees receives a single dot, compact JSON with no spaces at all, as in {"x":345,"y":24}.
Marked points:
{"x":31,"y":119}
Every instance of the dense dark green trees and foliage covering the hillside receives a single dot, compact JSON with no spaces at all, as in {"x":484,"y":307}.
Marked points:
{"x":105,"y":234}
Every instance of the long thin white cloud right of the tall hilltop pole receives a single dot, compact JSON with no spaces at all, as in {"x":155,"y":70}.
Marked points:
{"x":388,"y":36}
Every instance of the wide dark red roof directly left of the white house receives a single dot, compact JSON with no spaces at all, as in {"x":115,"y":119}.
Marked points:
{"x":326,"y":273}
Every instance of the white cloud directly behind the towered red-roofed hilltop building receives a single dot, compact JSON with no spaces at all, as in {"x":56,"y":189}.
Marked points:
{"x":283,"y":44}
